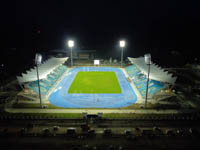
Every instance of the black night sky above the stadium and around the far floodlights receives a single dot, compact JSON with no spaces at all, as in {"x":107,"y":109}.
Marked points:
{"x":157,"y":26}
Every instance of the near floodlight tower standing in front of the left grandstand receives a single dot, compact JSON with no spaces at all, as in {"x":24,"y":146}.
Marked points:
{"x":38,"y":60}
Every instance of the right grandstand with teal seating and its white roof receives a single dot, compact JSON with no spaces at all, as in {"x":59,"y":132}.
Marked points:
{"x":158,"y":77}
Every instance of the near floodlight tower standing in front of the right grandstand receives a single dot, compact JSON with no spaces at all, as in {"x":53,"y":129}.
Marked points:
{"x":147,"y":59}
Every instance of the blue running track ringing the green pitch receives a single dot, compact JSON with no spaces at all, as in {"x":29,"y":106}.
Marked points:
{"x":60,"y":97}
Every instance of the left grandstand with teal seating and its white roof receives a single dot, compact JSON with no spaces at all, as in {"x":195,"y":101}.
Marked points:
{"x":49,"y":73}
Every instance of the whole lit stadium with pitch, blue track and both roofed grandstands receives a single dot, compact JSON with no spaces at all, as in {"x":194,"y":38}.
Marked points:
{"x":98,"y":85}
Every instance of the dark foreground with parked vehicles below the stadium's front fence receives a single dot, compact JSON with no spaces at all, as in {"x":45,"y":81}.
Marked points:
{"x":99,"y":134}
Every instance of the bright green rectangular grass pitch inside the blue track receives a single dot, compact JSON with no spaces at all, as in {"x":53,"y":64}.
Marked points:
{"x":95,"y":83}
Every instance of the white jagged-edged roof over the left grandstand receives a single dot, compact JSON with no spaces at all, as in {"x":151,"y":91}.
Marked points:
{"x":43,"y":69}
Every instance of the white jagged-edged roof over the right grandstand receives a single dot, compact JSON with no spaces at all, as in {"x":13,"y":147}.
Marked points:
{"x":156,"y":72}
